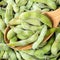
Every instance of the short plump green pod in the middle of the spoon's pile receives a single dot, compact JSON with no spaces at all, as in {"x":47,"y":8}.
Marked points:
{"x":23,"y":34}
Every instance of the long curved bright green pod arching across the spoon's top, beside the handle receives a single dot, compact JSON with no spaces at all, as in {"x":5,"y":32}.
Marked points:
{"x":36,"y":15}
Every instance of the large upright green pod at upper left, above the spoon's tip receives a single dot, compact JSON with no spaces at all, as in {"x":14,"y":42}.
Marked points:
{"x":9,"y":13}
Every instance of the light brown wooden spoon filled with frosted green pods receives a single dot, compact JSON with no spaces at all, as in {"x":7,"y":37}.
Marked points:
{"x":55,"y":18}
